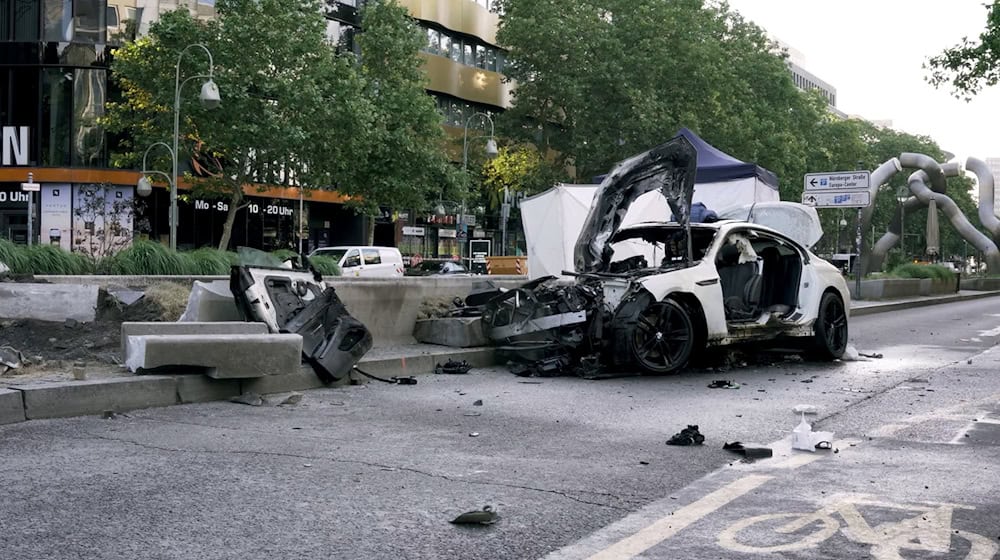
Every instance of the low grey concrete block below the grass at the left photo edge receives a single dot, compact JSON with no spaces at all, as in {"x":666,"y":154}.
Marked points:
{"x":48,"y":302}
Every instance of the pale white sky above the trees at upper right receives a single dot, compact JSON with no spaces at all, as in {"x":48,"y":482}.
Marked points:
{"x":872,"y":51}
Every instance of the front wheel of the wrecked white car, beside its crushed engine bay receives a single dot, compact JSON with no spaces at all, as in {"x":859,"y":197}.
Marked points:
{"x":663,"y":338}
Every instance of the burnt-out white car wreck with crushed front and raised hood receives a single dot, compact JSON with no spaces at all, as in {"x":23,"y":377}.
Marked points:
{"x":652,"y":295}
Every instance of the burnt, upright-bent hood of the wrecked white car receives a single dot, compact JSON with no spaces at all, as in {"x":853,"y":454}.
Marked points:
{"x":669,"y":168}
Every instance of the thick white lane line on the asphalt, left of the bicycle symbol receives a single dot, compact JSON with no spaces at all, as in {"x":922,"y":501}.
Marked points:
{"x":667,"y":527}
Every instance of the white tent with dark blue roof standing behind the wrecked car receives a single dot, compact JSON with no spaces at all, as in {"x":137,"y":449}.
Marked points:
{"x":553,"y":219}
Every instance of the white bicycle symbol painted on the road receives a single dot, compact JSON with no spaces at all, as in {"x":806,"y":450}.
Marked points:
{"x":929,"y":530}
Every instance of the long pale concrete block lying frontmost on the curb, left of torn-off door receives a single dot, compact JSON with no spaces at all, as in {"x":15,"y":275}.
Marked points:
{"x":226,"y":356}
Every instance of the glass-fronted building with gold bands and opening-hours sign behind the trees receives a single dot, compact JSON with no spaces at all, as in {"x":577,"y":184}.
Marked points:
{"x":54,"y":57}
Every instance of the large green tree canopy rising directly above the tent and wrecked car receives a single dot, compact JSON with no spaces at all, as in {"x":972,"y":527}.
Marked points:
{"x":621,"y":76}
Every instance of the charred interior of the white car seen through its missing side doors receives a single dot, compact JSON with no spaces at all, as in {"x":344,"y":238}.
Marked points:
{"x":758,"y":274}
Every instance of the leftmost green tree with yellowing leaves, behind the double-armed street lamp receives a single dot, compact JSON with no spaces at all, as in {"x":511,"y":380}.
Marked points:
{"x":292,"y":106}
